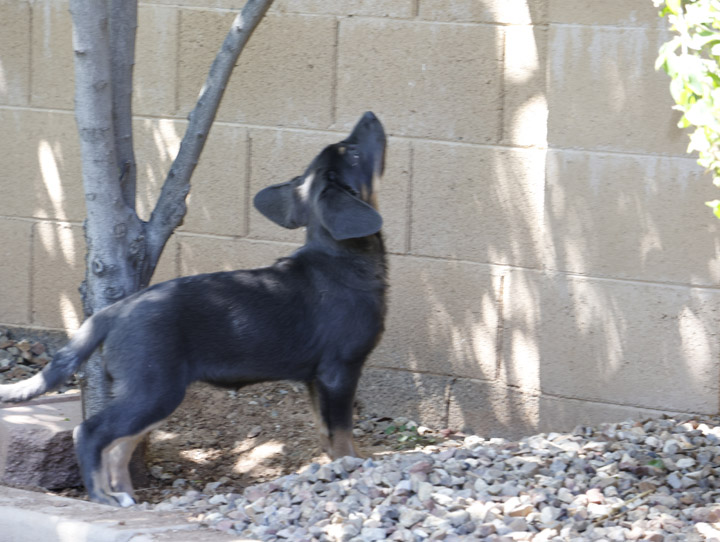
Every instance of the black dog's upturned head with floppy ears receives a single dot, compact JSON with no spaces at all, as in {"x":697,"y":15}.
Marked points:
{"x":336,"y":191}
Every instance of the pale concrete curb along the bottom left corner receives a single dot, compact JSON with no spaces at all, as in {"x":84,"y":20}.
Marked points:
{"x":27,"y":516}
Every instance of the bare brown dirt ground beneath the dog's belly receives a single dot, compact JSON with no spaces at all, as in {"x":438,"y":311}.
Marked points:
{"x":248,"y":436}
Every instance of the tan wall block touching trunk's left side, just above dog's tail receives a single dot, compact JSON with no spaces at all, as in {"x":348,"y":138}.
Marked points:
{"x":58,"y":271}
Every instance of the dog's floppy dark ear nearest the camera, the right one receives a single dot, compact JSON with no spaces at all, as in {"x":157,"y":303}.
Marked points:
{"x":345,"y":216}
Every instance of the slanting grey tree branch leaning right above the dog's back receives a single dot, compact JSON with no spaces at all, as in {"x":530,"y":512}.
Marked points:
{"x":170,"y":209}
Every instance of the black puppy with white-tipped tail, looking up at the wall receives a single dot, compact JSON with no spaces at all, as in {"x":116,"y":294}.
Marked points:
{"x":311,"y":317}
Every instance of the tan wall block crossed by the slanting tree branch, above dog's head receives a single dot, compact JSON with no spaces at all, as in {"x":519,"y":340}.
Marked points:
{"x":272,"y":84}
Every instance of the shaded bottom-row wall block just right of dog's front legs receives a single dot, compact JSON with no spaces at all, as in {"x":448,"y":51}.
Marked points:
{"x":419,"y":397}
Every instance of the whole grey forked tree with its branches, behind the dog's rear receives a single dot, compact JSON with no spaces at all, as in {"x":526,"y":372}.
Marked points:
{"x":122,"y":250}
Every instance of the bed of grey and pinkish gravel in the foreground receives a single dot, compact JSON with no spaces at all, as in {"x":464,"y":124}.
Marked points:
{"x":653,"y":480}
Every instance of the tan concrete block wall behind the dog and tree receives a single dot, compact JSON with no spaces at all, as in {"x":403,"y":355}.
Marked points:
{"x":552,"y":262}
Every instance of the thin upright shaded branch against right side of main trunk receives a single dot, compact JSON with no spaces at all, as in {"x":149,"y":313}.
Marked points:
{"x":123,"y":27}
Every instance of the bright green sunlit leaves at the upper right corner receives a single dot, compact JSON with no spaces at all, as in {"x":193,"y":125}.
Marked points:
{"x":692,"y":59}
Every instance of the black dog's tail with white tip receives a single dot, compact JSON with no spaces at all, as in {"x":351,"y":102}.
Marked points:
{"x":65,"y":363}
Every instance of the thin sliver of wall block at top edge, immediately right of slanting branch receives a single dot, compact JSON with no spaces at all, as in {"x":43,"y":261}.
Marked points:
{"x":401,"y":9}
